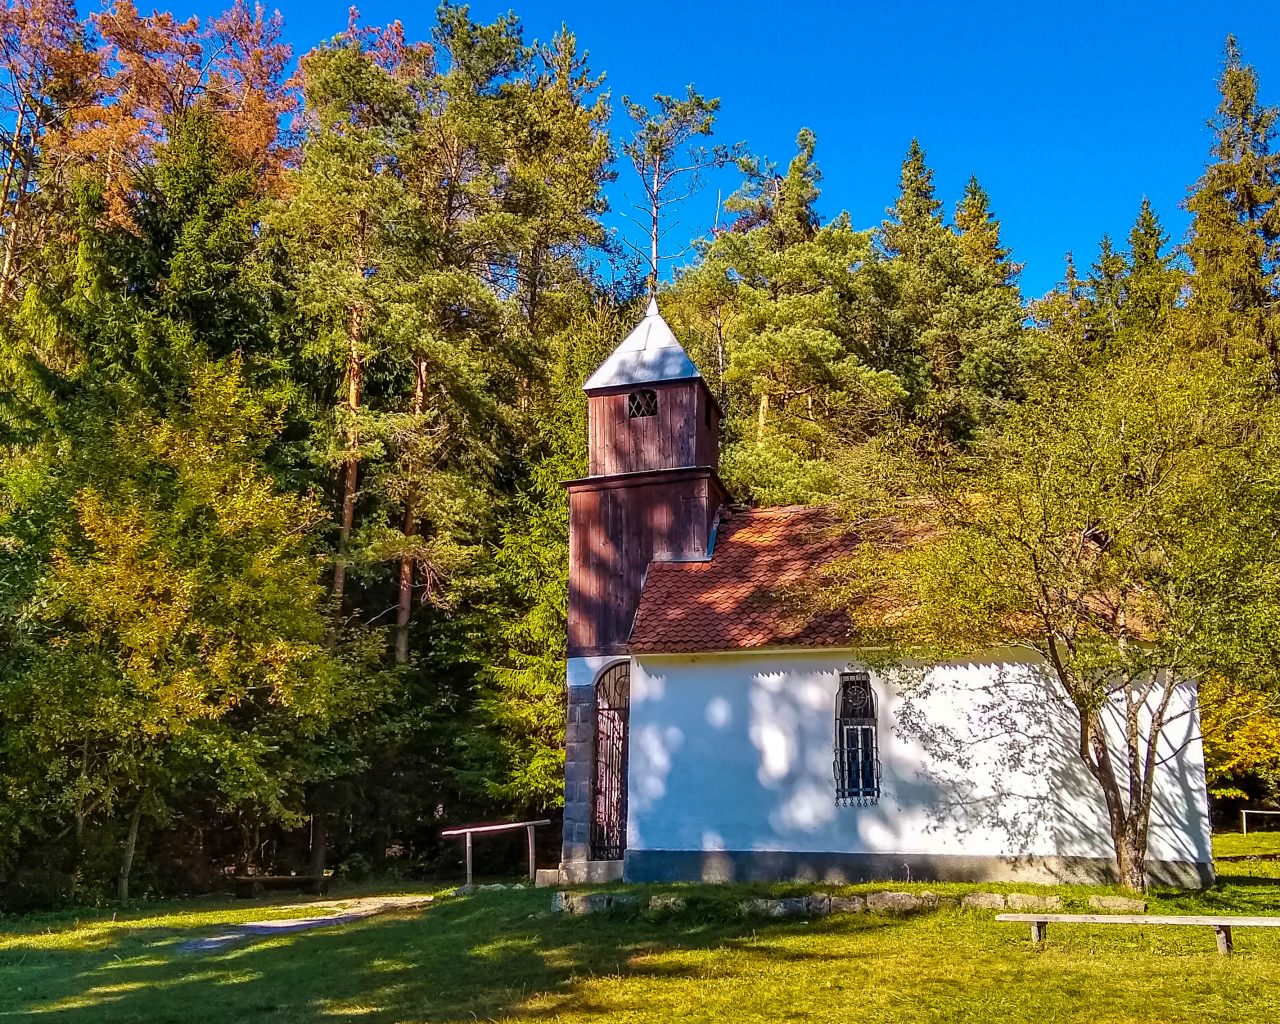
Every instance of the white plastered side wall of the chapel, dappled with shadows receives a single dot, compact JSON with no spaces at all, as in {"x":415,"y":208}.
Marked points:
{"x":734,"y":752}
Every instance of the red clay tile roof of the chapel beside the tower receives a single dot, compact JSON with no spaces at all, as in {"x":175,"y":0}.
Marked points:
{"x":739,"y":598}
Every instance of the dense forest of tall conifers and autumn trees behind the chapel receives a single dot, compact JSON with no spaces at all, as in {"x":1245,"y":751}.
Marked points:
{"x":291,"y":364}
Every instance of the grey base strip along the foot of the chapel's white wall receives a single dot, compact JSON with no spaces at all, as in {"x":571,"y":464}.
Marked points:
{"x":751,"y":866}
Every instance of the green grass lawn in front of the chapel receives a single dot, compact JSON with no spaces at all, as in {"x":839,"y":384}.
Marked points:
{"x":504,"y":957}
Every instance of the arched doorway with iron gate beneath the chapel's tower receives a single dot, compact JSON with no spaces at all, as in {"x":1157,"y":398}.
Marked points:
{"x":610,"y":790}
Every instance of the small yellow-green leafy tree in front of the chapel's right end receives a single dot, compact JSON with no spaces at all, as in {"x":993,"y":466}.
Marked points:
{"x":1118,"y":525}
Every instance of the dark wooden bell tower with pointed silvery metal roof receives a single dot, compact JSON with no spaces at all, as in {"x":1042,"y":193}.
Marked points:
{"x":653,"y":492}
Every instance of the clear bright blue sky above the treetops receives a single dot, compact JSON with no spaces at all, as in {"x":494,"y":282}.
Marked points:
{"x":1068,"y":113}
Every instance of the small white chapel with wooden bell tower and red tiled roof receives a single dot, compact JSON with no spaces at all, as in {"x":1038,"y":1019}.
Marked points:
{"x":717,"y":732}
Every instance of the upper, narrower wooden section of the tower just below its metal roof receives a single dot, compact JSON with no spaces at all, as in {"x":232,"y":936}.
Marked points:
{"x":680,"y":436}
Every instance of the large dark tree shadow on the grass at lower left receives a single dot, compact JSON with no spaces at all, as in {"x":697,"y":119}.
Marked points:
{"x":486,"y":957}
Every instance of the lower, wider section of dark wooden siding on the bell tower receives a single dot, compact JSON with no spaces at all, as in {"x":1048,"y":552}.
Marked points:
{"x":616,"y":531}
